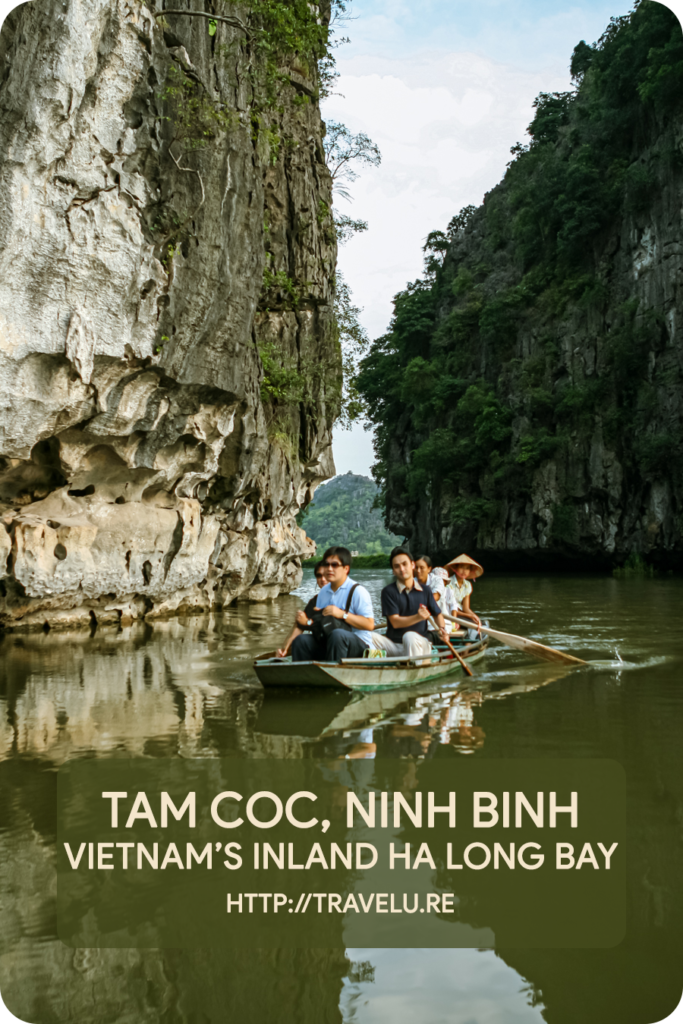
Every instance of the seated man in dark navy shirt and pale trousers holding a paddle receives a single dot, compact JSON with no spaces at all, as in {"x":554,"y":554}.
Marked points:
{"x":408,"y":607}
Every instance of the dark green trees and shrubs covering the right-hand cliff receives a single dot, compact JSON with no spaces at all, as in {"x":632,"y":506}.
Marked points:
{"x":522,"y":345}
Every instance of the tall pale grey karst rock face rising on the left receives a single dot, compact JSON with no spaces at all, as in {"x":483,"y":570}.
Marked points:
{"x":165,"y":244}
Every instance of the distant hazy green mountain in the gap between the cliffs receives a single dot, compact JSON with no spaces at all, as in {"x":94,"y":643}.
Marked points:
{"x":343,"y":514}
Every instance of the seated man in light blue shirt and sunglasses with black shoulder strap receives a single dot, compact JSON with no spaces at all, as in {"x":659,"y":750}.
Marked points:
{"x":340,"y":600}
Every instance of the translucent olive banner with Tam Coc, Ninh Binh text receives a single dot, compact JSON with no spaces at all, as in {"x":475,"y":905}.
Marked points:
{"x":156,"y":854}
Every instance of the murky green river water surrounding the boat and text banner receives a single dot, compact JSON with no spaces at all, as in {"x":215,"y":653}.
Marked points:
{"x":186,"y":689}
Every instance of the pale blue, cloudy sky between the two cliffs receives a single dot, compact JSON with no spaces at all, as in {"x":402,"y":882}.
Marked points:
{"x":445,"y":89}
